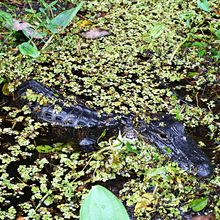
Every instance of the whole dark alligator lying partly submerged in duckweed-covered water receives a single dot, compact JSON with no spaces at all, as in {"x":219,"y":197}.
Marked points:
{"x":85,"y":126}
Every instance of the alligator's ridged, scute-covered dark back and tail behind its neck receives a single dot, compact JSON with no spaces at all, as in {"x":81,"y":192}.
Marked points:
{"x":75,"y":116}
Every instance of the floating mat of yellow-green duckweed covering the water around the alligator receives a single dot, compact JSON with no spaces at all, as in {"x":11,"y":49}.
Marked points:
{"x":151,"y":57}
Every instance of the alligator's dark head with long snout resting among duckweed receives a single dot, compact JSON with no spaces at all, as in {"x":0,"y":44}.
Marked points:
{"x":171,"y":138}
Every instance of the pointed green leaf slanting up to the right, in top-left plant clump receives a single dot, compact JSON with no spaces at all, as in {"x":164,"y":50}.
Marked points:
{"x":63,"y":19}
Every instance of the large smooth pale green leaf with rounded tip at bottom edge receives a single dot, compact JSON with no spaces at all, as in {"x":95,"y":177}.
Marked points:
{"x":101,"y":204}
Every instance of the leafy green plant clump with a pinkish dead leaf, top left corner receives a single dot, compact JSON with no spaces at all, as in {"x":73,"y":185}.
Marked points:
{"x":54,"y":25}
